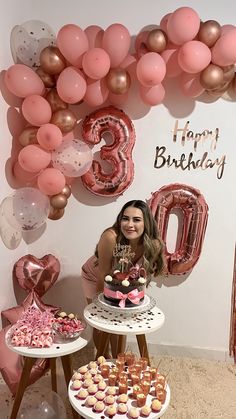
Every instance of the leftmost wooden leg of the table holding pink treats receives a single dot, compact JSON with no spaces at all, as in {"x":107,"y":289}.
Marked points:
{"x":29,"y":362}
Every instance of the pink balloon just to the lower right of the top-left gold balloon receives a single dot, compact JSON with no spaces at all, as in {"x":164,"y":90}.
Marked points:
{"x":71,"y":85}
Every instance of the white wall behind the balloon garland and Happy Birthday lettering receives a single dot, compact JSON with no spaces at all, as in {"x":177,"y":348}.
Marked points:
{"x":197,"y":307}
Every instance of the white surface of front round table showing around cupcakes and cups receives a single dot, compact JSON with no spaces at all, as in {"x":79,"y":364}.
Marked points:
{"x":88,"y":413}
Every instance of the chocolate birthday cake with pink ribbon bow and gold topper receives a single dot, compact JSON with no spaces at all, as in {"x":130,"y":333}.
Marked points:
{"x":126,"y":286}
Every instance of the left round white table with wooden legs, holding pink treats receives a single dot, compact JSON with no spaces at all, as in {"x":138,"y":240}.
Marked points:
{"x":62,"y":349}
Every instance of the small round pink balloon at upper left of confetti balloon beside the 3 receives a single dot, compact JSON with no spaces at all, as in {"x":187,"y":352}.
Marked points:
{"x":49,"y":136}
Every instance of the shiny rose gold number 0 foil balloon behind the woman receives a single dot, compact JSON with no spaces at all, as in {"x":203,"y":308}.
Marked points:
{"x":195,"y":215}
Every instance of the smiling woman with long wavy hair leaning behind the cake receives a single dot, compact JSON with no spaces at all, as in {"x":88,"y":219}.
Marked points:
{"x":134,"y":226}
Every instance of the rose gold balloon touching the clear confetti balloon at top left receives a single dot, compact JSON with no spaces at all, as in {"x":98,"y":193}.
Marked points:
{"x":52,"y":61}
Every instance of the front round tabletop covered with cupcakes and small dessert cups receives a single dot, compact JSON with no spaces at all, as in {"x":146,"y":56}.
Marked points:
{"x":126,"y":386}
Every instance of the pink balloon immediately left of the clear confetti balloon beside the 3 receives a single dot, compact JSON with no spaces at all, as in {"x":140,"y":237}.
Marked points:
{"x":33,"y":158}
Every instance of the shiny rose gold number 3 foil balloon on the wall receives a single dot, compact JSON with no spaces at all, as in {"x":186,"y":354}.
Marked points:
{"x":118,"y":154}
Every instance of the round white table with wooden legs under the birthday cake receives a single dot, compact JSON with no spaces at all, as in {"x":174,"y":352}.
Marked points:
{"x":131,"y":321}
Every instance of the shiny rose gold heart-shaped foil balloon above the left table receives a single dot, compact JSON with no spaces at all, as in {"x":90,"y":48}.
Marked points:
{"x":36,"y":274}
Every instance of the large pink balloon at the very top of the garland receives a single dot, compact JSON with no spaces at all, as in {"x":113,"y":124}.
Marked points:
{"x":183,"y":25}
